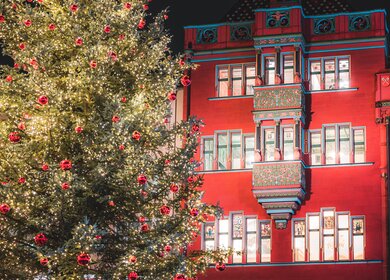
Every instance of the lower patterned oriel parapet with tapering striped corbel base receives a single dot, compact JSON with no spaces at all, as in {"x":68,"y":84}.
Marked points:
{"x":279,"y":187}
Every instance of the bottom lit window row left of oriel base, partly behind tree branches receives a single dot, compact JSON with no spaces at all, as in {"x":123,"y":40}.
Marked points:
{"x":231,"y":232}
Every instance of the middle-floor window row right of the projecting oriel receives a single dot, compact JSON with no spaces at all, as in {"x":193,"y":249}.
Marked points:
{"x":338,"y":145}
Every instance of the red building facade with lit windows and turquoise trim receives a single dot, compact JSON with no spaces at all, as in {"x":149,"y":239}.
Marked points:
{"x":294,"y":97}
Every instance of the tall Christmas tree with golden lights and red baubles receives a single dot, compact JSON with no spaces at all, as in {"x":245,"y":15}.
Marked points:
{"x":94,"y":182}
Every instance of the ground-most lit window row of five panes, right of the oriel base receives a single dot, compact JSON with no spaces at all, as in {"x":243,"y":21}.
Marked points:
{"x":333,"y":235}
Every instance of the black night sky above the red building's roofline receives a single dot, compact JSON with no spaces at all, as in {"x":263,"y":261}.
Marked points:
{"x":187,"y":12}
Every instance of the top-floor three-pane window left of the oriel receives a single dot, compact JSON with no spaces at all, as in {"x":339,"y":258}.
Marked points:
{"x":231,"y":80}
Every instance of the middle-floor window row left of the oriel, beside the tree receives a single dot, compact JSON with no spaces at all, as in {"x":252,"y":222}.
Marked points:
{"x":233,"y":150}
